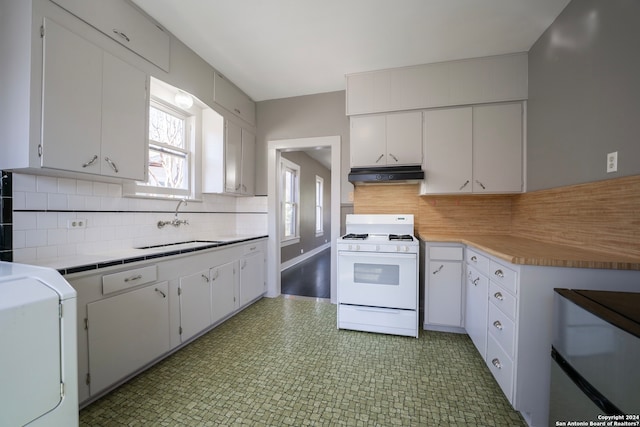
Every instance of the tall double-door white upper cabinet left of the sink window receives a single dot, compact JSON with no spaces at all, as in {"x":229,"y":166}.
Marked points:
{"x":94,"y":108}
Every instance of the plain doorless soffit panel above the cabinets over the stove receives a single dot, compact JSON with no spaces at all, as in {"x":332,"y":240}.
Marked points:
{"x":463,"y":82}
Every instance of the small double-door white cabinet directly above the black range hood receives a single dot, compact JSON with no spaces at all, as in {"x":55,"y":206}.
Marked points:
{"x":386,"y":139}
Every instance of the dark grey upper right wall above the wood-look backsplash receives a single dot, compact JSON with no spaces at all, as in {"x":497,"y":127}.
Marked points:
{"x":584,"y":95}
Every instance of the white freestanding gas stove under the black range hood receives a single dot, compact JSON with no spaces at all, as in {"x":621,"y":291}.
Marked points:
{"x":378,"y":275}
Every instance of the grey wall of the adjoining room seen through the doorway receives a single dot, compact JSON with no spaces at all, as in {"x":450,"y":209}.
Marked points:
{"x":309,"y":168}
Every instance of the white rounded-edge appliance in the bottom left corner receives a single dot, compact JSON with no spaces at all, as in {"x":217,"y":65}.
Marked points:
{"x":38,"y":358}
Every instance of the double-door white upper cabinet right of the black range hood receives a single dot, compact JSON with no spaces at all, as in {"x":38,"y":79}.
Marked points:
{"x":473,"y":149}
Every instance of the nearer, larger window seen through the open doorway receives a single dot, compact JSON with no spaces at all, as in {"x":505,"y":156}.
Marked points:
{"x":290,"y":202}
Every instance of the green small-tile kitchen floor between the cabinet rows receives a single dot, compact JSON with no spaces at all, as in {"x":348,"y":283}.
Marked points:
{"x":282,"y":362}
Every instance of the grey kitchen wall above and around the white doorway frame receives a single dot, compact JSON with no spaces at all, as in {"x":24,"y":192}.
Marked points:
{"x":307,"y":116}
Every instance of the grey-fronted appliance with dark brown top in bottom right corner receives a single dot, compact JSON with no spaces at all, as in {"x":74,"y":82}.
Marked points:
{"x":595,"y":352}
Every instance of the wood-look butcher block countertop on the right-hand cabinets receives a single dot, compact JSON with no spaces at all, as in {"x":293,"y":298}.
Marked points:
{"x":519,"y":250}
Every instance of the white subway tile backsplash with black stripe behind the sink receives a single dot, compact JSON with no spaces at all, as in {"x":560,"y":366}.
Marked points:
{"x":115,"y":222}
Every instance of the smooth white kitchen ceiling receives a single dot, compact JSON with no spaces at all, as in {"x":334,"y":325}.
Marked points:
{"x":282,"y":48}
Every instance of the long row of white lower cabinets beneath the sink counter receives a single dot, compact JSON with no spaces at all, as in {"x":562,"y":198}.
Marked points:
{"x":131,"y":317}
